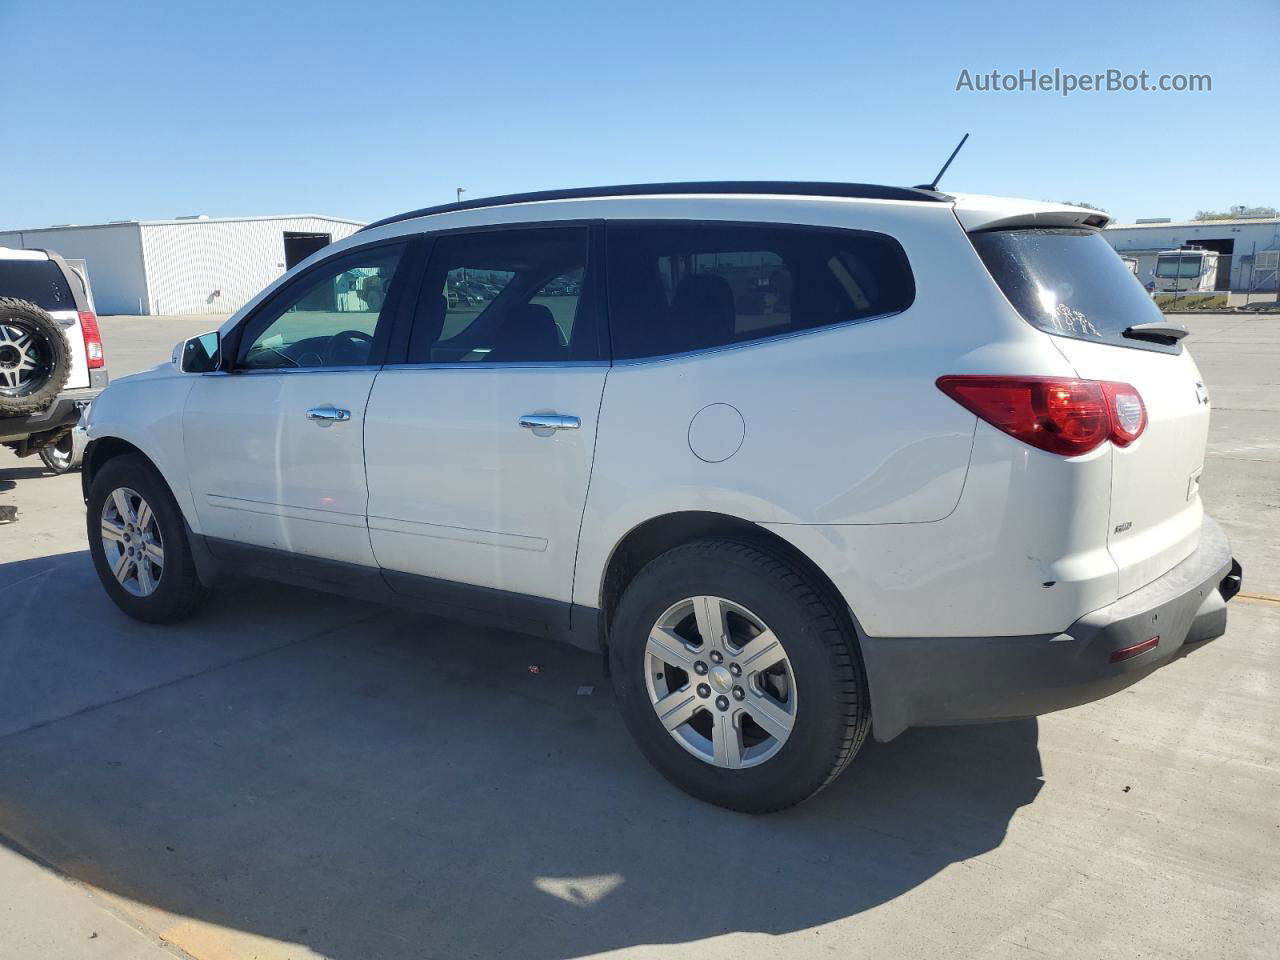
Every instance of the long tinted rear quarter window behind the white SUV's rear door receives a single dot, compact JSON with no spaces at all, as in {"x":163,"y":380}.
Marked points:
{"x":678,"y":287}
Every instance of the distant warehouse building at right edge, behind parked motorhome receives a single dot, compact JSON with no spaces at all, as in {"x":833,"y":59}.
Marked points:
{"x":1249,"y":249}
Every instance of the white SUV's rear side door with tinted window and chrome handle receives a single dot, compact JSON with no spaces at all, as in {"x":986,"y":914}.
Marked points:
{"x":479,"y":441}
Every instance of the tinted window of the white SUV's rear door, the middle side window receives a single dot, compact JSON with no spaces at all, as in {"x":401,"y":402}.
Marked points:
{"x":514,"y":296}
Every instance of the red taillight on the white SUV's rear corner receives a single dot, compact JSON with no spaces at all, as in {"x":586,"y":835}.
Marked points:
{"x":1063,"y":417}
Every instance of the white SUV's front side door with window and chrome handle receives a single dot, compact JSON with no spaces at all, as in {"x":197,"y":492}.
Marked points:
{"x":276,"y":444}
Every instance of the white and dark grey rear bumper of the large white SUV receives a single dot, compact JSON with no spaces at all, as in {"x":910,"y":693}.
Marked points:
{"x":936,"y":682}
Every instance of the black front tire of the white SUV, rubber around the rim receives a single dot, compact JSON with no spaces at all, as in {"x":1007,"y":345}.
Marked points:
{"x":179,"y":591}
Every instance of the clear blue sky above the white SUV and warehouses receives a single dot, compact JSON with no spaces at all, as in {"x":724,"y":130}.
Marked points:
{"x":367,"y":108}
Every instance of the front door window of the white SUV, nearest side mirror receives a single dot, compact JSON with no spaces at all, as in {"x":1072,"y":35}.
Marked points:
{"x":330,"y":318}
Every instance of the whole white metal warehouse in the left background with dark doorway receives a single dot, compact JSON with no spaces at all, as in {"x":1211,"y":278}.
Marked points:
{"x":188,"y":266}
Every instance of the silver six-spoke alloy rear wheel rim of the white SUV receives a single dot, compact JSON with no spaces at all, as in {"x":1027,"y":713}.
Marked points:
{"x":721,"y":683}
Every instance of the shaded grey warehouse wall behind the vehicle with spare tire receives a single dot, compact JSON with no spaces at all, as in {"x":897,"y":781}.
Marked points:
{"x":112,"y":254}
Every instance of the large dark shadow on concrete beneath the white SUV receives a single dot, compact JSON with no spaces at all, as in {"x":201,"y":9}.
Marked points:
{"x":378,"y":784}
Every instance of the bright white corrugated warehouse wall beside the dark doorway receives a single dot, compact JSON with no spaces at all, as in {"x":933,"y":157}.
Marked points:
{"x":213,"y":267}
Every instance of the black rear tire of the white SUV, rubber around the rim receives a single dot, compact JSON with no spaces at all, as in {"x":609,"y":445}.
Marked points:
{"x":833,"y":715}
